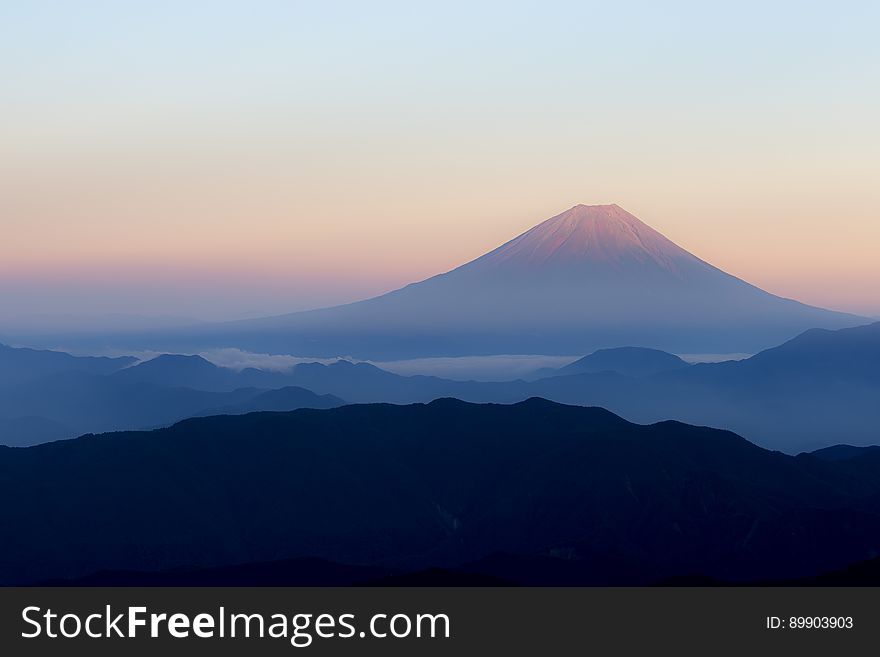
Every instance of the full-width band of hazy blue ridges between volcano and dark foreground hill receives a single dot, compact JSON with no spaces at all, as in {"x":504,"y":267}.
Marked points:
{"x":816,"y":390}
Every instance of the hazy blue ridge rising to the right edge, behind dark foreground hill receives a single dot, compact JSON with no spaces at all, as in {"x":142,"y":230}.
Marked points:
{"x":813,"y":391}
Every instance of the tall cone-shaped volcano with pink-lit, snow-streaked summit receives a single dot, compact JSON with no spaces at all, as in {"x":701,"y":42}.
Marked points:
{"x":590,"y":278}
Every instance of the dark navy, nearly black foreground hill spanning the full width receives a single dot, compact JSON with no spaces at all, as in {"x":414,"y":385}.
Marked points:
{"x":534,"y":492}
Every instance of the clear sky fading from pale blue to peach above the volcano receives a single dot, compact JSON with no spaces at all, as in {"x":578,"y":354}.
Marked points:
{"x":236,"y":159}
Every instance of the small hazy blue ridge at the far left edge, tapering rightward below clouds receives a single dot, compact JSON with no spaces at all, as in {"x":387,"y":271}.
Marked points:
{"x":20,"y":365}
